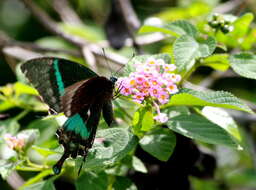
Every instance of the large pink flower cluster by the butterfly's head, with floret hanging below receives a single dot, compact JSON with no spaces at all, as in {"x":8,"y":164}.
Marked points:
{"x":152,"y":79}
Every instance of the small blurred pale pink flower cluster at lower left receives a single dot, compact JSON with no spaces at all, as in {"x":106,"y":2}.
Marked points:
{"x":15,"y":142}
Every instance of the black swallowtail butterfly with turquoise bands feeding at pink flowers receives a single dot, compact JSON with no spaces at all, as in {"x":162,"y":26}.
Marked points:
{"x":80,"y":94}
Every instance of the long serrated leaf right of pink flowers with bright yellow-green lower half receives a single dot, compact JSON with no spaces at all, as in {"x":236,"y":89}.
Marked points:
{"x":222,"y":99}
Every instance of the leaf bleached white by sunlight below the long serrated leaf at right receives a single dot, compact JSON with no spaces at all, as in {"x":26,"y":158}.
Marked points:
{"x":222,"y":119}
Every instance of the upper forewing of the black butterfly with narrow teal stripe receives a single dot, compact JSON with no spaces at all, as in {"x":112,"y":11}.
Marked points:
{"x":50,"y":76}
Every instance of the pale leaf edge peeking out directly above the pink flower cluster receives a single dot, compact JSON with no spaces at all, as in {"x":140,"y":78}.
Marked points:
{"x":129,"y":67}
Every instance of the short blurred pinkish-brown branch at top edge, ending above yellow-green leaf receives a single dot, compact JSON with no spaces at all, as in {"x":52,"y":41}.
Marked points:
{"x":67,"y":14}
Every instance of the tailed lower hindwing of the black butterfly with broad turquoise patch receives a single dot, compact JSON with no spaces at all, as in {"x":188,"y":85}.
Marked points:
{"x":73,"y":141}
